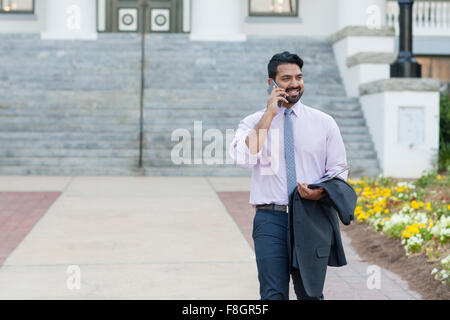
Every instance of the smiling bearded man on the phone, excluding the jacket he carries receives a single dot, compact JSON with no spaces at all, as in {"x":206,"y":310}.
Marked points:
{"x":288,"y":147}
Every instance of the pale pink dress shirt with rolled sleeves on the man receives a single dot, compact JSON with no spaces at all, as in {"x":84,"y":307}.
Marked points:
{"x":319,"y":151}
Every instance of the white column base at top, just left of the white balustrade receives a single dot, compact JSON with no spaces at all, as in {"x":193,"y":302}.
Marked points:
{"x":370,"y":13}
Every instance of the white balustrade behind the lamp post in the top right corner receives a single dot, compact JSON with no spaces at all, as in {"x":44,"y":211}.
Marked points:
{"x":430,"y":17}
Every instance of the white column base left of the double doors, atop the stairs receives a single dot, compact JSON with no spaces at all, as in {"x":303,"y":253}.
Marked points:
{"x":70,"y":19}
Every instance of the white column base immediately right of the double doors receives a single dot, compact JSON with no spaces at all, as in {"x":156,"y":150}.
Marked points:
{"x":217,"y":20}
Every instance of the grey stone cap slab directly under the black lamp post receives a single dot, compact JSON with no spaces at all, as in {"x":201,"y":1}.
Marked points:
{"x":399,"y":84}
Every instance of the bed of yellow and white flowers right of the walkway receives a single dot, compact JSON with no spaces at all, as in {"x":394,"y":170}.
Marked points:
{"x":416,"y":211}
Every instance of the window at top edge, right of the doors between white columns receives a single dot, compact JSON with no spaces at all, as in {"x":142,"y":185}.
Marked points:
{"x":273,"y":8}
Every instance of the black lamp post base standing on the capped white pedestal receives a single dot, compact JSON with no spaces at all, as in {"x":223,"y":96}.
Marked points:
{"x":405,"y":65}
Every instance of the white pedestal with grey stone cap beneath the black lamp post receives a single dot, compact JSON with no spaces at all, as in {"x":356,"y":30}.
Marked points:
{"x":403,"y":119}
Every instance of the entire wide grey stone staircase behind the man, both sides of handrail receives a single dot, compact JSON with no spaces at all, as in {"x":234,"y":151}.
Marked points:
{"x":72,"y":107}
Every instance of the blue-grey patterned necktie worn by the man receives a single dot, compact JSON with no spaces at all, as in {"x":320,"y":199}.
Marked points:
{"x":289,"y":153}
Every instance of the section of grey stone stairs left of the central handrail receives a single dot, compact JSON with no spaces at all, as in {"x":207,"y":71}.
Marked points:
{"x":69,"y":107}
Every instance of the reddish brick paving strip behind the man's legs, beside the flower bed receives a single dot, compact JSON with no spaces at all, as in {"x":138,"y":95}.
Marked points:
{"x":342,"y":283}
